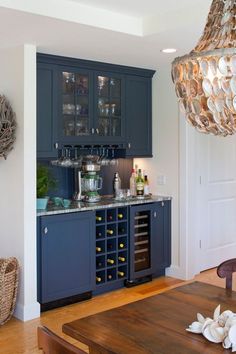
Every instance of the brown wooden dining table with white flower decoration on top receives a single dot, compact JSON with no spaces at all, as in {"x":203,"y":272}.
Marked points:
{"x":156,"y":324}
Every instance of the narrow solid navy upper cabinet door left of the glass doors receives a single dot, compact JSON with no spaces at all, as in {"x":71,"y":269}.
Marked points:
{"x":46,"y":110}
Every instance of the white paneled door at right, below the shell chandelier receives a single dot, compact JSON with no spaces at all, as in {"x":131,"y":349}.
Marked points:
{"x":216,"y":199}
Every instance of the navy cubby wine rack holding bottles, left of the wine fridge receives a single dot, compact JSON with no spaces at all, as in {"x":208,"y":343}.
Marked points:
{"x":111,"y":246}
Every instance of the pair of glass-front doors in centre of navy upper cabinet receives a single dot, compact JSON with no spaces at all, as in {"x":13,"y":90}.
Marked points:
{"x":91,"y":107}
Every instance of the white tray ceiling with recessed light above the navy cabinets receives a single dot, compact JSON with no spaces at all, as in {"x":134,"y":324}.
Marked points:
{"x":104,"y":36}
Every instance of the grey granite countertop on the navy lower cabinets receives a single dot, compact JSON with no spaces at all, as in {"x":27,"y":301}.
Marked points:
{"x":106,"y":202}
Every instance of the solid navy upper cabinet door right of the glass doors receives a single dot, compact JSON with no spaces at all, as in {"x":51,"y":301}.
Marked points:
{"x":138,"y":116}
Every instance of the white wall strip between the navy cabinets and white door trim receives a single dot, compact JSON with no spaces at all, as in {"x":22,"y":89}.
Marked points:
{"x":165,"y":161}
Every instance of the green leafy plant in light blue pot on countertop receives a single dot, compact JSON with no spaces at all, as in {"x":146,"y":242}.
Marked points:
{"x":45,"y":181}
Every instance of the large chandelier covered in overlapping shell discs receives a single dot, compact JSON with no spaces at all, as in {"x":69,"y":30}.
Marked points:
{"x":205,"y":79}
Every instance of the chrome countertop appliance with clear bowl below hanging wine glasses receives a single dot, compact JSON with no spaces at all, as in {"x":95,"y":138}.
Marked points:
{"x":88,"y":182}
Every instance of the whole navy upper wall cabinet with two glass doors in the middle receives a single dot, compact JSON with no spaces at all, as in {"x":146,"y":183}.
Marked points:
{"x":81,"y":102}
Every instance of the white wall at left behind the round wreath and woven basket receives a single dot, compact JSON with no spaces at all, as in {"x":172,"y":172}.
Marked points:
{"x":17,"y":177}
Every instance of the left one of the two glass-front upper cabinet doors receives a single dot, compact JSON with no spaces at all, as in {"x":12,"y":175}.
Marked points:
{"x":76,"y":105}
